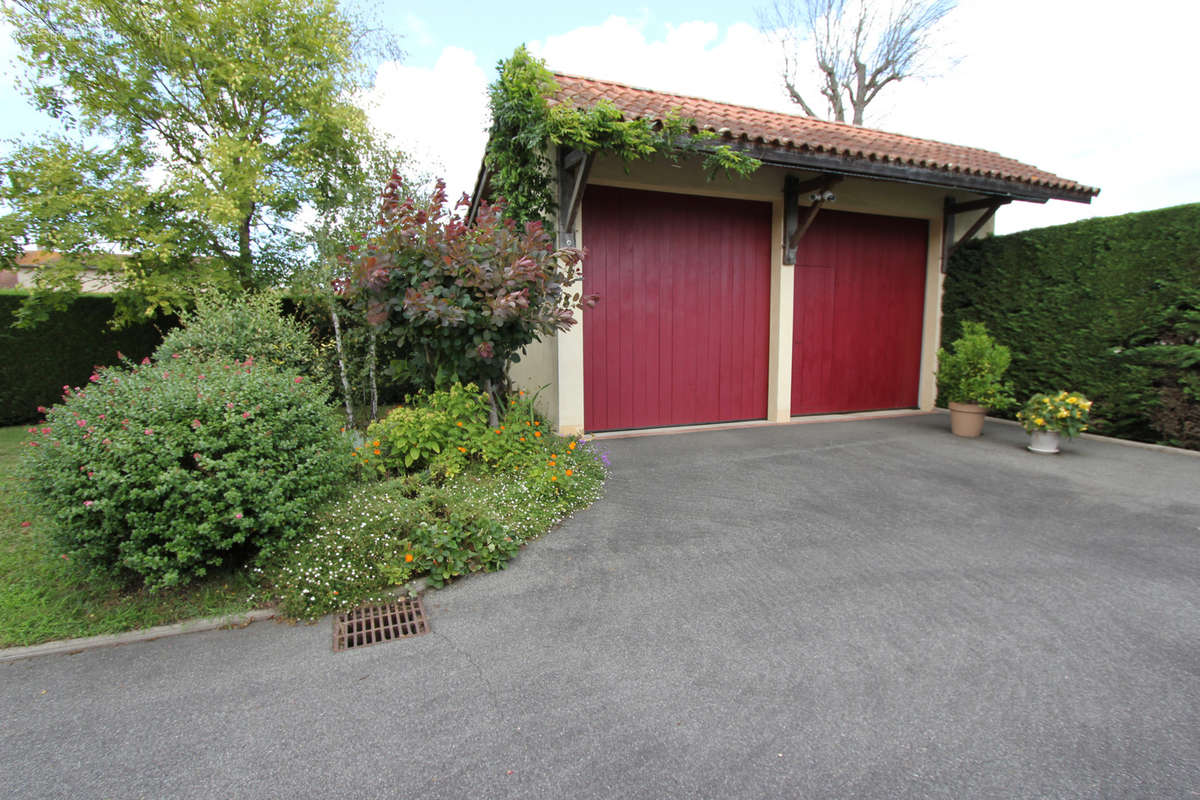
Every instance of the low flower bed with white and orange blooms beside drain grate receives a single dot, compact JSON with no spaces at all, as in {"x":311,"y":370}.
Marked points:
{"x":513,"y":486}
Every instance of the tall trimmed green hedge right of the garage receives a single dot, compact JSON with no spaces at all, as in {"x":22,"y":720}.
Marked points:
{"x":1072,"y":302}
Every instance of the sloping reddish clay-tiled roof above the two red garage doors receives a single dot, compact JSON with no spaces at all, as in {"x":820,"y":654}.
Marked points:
{"x":805,"y":142}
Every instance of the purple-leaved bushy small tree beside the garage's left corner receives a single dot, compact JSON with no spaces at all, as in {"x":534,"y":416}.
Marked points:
{"x":463,"y":303}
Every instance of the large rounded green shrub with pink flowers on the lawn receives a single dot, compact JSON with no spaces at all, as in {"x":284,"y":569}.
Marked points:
{"x":167,"y":470}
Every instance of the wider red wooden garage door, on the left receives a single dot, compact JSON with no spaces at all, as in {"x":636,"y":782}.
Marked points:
{"x":681,"y":333}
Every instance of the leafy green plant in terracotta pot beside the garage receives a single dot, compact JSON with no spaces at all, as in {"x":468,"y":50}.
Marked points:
{"x":971,"y":378}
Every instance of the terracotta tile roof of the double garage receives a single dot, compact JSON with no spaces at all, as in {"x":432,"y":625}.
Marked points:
{"x":789,"y":133}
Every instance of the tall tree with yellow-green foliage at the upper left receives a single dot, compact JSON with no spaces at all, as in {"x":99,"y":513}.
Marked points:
{"x":213,"y":127}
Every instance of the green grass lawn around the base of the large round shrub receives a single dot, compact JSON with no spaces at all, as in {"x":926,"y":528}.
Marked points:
{"x":45,"y":597}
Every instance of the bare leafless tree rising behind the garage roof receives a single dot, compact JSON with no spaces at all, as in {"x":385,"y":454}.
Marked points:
{"x":859,"y":50}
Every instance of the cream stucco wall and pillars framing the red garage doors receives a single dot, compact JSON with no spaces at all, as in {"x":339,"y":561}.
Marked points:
{"x":561,"y":360}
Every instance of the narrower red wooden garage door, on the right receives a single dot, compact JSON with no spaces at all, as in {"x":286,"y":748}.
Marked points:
{"x":860,"y":297}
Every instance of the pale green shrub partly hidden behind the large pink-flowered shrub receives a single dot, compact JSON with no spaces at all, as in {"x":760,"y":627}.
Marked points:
{"x":236,"y":329}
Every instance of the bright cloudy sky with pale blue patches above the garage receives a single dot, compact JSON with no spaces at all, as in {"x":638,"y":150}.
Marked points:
{"x":1093,"y":91}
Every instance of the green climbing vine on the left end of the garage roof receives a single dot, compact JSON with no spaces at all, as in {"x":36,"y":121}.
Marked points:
{"x":525,"y":123}
